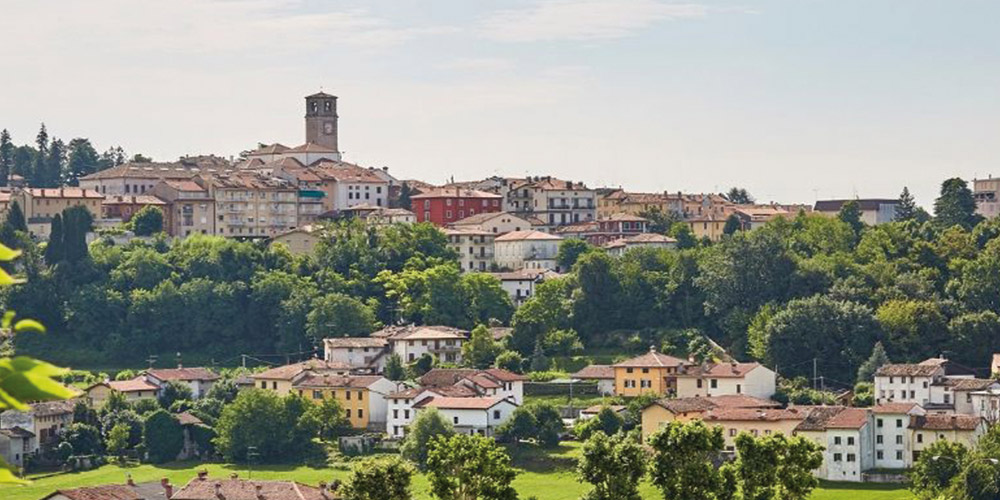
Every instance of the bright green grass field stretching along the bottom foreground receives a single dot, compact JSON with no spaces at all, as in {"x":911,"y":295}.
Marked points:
{"x":547,"y":476}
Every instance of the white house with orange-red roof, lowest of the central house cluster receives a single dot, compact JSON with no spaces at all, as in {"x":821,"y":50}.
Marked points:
{"x":480,"y":415}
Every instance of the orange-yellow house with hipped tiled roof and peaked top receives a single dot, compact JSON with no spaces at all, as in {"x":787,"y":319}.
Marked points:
{"x":652,"y":372}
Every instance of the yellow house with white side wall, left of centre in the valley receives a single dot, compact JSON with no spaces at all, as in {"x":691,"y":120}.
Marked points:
{"x":363,"y":397}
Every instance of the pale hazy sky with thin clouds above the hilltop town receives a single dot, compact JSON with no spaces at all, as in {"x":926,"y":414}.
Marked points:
{"x":791,"y":99}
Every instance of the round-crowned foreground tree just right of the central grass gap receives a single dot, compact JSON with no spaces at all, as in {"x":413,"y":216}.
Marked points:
{"x":613,"y":465}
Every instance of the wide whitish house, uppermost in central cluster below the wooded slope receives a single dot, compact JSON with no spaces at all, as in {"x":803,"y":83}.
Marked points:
{"x":411,"y":342}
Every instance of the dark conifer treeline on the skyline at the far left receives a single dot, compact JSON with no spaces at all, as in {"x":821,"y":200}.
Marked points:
{"x":50,"y":162}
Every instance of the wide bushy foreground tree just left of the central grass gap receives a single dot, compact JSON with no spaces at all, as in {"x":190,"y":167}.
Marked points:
{"x":464,"y":467}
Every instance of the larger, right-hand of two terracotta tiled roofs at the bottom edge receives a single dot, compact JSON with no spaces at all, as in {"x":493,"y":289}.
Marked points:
{"x":242,"y":489}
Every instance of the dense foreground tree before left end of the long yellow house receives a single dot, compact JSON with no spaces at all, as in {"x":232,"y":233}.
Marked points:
{"x":682,"y":465}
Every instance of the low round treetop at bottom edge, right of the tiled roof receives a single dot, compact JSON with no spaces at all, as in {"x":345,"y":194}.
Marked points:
{"x":379,"y":479}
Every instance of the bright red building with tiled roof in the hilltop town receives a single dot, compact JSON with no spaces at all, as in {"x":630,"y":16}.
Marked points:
{"x":442,"y":206}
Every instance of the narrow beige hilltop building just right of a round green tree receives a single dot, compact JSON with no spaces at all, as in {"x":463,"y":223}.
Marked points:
{"x":190,"y":208}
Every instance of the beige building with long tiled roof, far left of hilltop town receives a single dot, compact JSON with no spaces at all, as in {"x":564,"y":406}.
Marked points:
{"x":41,"y":205}
